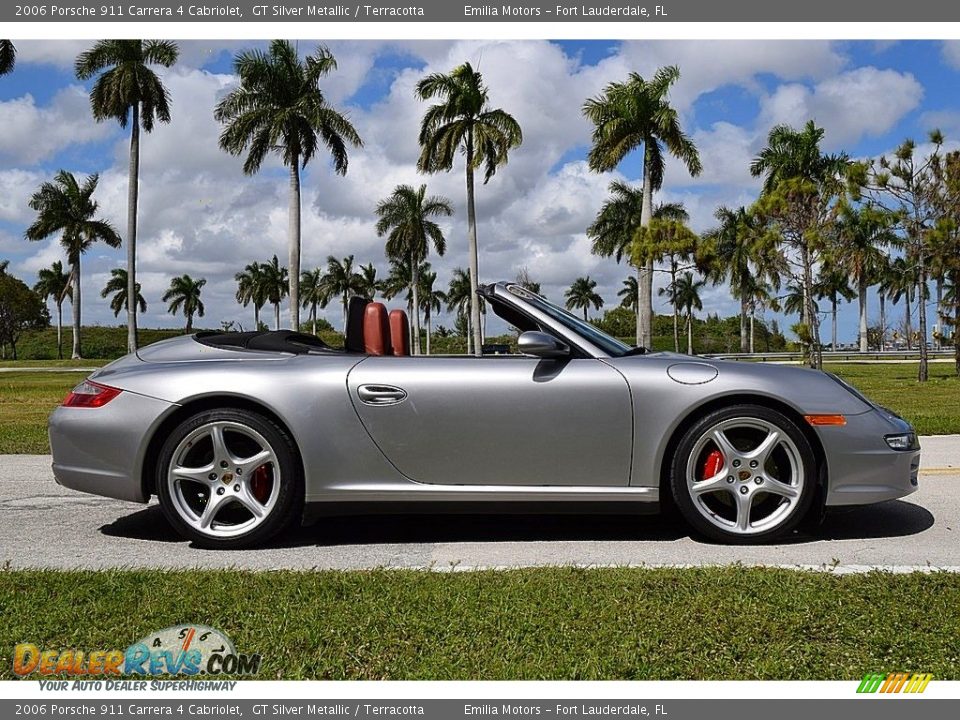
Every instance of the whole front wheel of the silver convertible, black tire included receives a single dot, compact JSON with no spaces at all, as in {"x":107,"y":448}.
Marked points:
{"x":744,"y":474}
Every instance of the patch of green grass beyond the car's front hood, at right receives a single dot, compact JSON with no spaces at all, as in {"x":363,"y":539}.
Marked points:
{"x":932,"y":407}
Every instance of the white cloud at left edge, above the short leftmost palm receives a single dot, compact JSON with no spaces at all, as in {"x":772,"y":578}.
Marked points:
{"x":32,"y":133}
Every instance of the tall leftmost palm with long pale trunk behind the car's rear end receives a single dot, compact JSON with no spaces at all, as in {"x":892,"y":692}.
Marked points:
{"x":128,"y":90}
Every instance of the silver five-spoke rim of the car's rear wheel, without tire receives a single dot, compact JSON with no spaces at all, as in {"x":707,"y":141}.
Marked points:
{"x":211,"y":479}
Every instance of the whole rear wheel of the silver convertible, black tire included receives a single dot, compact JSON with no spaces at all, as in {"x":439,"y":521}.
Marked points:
{"x":229,"y":478}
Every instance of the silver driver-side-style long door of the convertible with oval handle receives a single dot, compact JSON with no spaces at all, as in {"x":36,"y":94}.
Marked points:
{"x":509,"y":420}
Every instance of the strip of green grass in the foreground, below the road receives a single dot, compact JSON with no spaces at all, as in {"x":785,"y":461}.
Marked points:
{"x":546,"y":623}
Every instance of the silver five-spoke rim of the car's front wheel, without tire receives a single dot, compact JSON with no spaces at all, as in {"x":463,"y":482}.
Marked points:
{"x":759,"y":483}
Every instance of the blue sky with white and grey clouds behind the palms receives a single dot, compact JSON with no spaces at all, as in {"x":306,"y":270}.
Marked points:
{"x":201,"y":215}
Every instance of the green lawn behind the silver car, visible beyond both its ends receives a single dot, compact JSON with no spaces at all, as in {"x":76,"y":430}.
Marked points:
{"x":26,"y":399}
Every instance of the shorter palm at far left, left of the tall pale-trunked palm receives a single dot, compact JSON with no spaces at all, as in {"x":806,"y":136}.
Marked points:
{"x":66,"y":207}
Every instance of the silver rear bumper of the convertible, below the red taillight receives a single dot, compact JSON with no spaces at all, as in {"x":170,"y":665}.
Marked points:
{"x":100,"y":450}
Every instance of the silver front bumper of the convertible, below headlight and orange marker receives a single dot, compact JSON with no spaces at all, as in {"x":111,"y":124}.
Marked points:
{"x":861,"y":467}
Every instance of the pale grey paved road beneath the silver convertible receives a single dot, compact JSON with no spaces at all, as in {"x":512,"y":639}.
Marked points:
{"x":46,"y":526}
